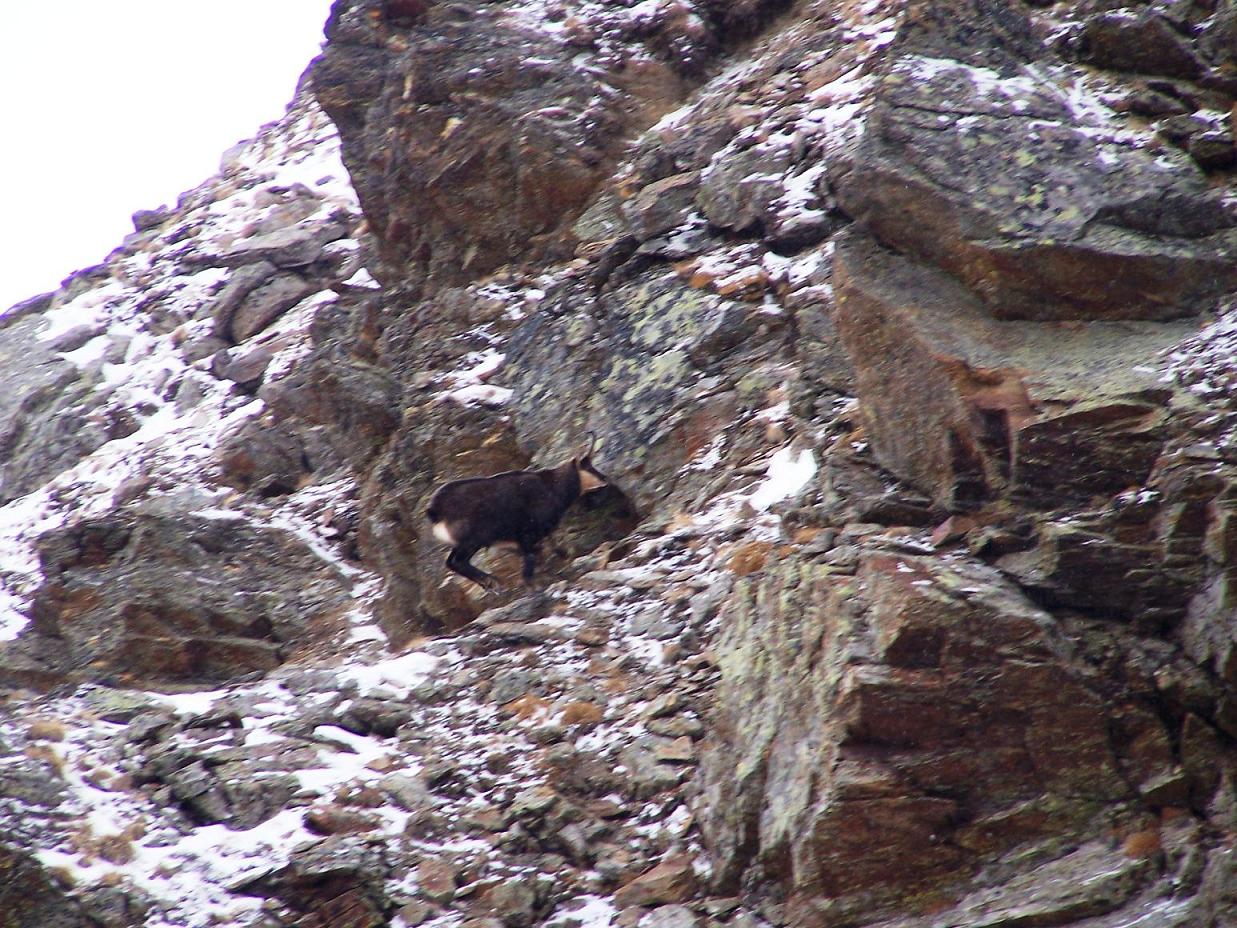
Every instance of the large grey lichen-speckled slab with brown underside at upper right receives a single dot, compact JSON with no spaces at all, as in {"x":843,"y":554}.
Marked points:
{"x":1079,"y":227}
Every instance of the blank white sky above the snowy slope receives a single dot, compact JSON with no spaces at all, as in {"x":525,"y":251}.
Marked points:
{"x":108,"y":107}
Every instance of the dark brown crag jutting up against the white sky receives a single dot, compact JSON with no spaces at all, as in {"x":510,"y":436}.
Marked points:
{"x":533,"y":124}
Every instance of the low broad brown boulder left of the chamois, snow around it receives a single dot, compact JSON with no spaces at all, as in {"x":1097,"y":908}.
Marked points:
{"x":132,"y":595}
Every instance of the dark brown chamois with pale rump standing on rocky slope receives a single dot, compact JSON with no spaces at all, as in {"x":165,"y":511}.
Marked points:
{"x":519,"y":507}
